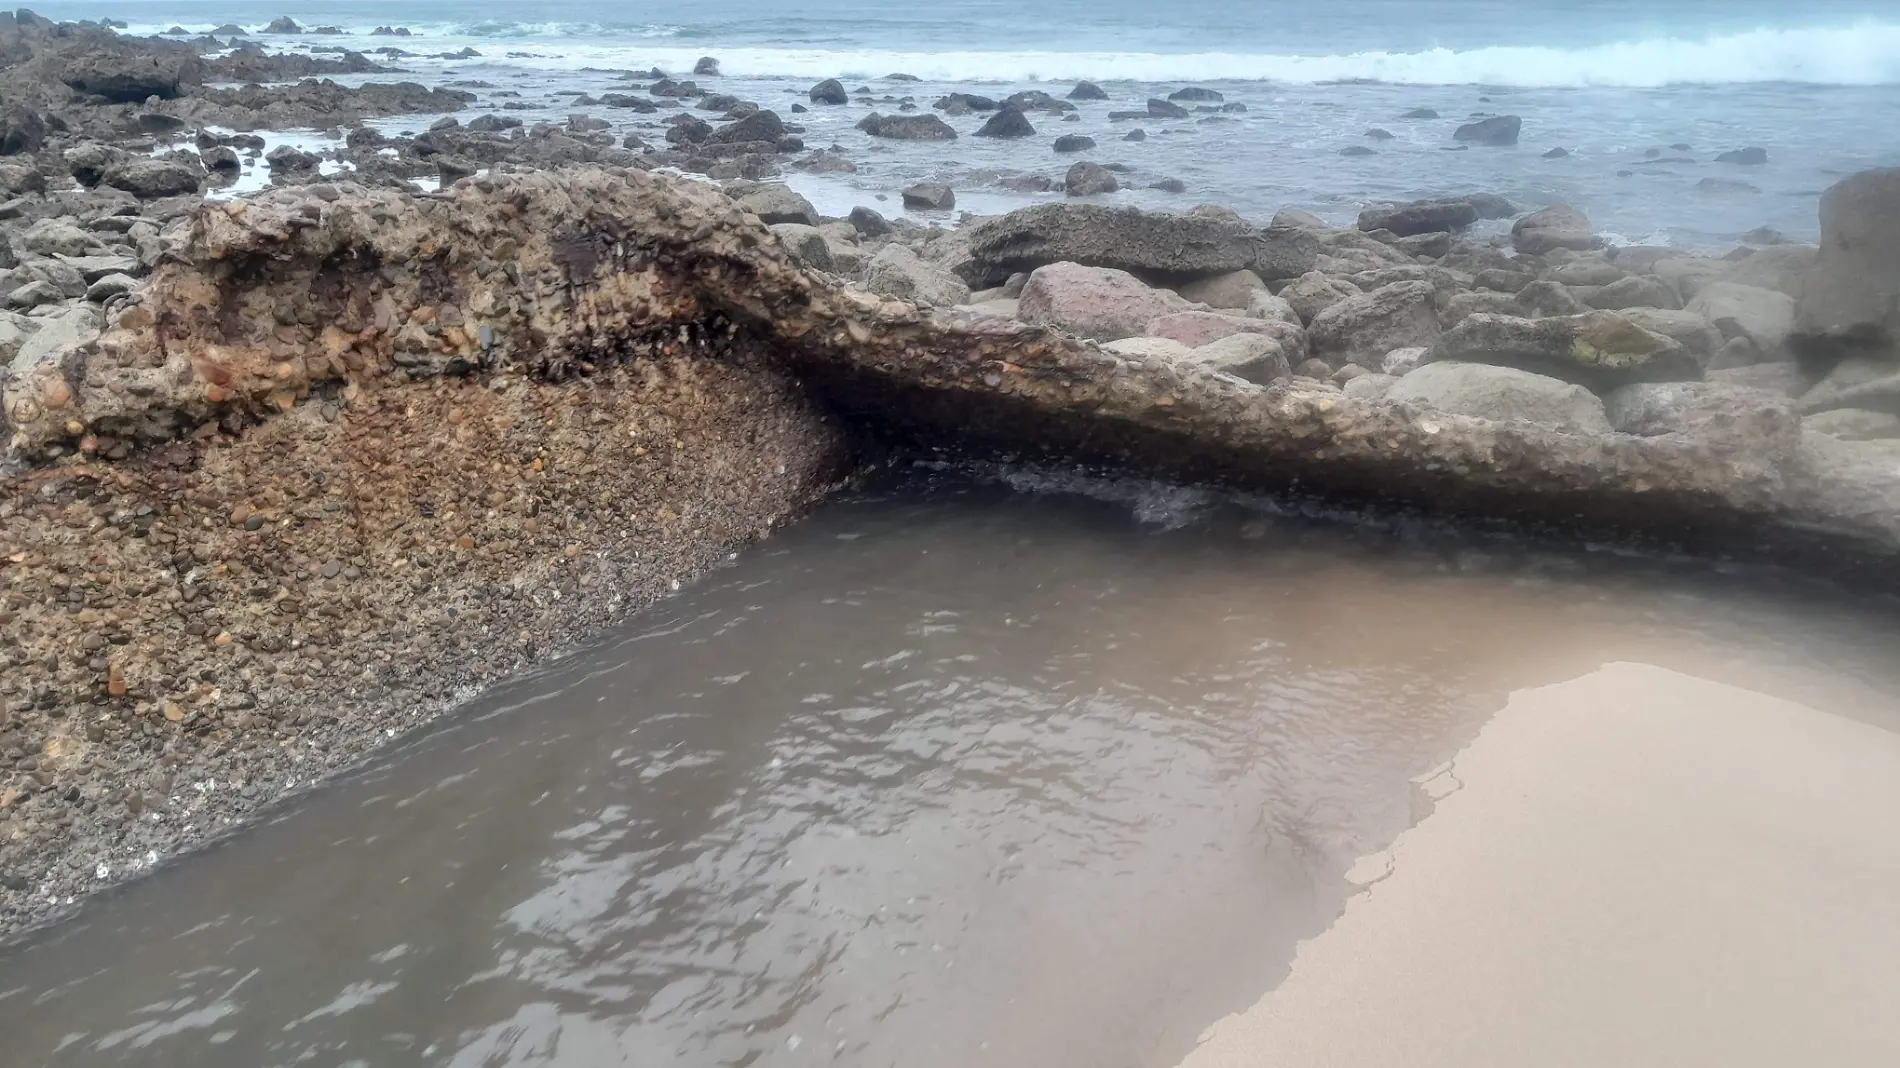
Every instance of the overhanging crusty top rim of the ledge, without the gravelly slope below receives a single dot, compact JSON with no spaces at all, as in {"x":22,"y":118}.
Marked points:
{"x":567,"y":273}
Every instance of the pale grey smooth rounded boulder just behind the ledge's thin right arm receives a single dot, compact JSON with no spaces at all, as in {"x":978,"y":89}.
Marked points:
{"x":1502,"y":394}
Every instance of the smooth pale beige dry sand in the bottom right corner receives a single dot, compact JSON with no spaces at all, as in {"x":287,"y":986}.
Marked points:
{"x":1631,"y":869}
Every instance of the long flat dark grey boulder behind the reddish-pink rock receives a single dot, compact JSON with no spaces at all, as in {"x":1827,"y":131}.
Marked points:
{"x":1128,"y":238}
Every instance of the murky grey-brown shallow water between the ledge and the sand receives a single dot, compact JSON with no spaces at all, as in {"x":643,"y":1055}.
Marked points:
{"x":945,"y":776}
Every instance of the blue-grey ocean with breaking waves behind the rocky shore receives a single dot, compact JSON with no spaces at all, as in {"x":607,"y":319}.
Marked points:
{"x":1641,"y":96}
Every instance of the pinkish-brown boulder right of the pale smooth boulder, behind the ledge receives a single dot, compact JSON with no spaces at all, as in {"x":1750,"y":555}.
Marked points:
{"x":1717,"y":413}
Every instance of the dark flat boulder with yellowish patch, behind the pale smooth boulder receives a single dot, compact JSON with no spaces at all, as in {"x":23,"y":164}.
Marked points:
{"x":1599,"y":349}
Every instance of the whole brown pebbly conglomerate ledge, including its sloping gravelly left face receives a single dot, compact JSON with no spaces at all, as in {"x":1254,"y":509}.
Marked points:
{"x":352,"y":451}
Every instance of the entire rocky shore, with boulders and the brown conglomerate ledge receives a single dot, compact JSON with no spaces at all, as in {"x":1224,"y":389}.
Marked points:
{"x":292,"y":474}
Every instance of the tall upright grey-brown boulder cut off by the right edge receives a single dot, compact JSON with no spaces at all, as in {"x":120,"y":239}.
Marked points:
{"x":1852,"y":296}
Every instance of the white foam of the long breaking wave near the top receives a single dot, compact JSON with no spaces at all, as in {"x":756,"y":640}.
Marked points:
{"x":1863,"y":54}
